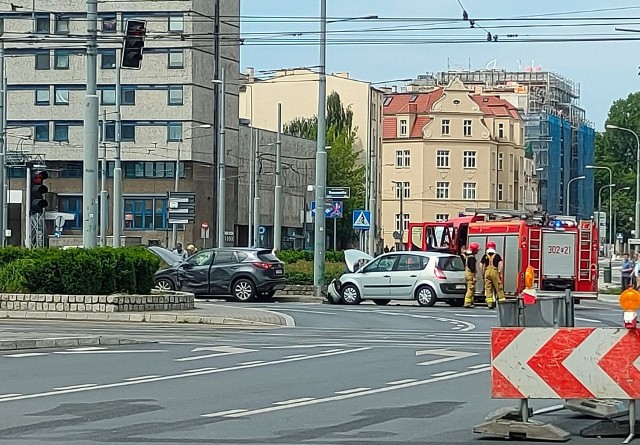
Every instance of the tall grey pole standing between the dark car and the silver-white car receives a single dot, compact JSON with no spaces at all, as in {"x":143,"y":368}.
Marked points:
{"x":321,"y":162}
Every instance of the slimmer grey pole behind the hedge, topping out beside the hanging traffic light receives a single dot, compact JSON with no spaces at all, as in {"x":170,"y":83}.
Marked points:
{"x":117,"y":171}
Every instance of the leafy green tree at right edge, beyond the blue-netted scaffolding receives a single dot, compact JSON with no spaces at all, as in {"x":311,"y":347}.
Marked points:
{"x":616,"y":149}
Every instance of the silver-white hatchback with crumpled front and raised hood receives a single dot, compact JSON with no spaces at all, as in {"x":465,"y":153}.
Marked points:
{"x":408,"y":275}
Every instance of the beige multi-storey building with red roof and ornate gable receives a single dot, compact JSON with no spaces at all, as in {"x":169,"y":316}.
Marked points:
{"x":448,"y":150}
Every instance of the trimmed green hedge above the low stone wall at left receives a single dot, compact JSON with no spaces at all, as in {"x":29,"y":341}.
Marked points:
{"x":100,"y":271}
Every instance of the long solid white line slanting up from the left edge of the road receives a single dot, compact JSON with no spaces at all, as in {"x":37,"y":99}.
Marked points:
{"x":178,"y":376}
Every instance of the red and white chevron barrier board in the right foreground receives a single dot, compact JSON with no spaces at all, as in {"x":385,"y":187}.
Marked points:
{"x":565,"y":363}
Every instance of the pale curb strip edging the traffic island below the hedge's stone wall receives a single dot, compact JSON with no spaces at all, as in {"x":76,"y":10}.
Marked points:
{"x":136,"y":317}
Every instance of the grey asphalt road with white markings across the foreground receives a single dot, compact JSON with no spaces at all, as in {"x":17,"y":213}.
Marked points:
{"x":356,"y":375}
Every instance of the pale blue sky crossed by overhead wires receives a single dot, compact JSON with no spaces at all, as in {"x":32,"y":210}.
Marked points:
{"x":606,"y":71}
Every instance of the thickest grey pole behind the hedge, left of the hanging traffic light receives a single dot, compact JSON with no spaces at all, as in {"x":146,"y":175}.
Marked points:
{"x":90,"y":158}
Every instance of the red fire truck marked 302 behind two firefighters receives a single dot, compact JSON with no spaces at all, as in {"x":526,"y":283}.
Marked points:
{"x":562,"y":251}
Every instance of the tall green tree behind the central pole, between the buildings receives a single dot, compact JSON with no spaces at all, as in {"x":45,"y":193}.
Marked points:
{"x":343,"y":162}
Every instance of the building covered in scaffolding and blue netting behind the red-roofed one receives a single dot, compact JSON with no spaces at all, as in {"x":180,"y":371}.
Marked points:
{"x":556,"y":129}
